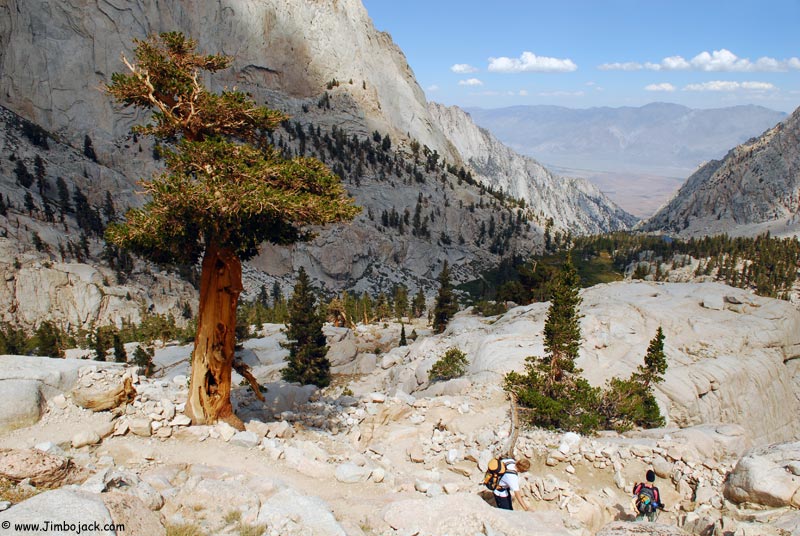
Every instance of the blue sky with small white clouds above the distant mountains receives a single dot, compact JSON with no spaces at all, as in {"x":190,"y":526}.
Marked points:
{"x":579,"y":54}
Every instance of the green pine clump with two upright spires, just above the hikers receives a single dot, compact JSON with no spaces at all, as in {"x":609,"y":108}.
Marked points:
{"x":552,"y":392}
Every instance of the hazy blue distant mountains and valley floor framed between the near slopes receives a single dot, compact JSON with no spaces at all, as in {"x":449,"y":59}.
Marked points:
{"x":637,"y":156}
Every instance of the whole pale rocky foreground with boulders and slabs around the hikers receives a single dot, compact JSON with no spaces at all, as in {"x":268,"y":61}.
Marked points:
{"x":402,"y":455}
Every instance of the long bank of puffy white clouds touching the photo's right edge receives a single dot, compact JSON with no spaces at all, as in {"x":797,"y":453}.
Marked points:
{"x":722,"y":60}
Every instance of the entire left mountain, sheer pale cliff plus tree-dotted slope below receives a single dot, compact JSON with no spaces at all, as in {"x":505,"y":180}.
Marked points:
{"x":339,"y":79}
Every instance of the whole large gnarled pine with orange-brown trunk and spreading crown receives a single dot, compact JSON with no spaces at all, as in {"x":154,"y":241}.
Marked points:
{"x":224,"y":192}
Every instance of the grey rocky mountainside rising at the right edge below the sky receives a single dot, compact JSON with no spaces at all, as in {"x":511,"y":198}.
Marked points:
{"x":755,"y":188}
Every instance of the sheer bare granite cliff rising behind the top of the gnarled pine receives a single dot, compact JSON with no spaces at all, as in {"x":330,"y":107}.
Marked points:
{"x":54,"y":56}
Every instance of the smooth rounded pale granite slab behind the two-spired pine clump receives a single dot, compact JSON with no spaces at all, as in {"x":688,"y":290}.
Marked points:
{"x":736,"y":366}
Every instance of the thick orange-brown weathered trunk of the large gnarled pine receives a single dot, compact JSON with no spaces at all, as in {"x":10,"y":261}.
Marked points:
{"x":212,"y":359}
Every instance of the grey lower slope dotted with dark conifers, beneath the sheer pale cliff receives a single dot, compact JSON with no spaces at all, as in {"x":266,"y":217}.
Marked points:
{"x":55,"y":264}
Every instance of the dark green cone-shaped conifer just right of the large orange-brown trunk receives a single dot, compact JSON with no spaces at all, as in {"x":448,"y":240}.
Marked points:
{"x":308,"y":363}
